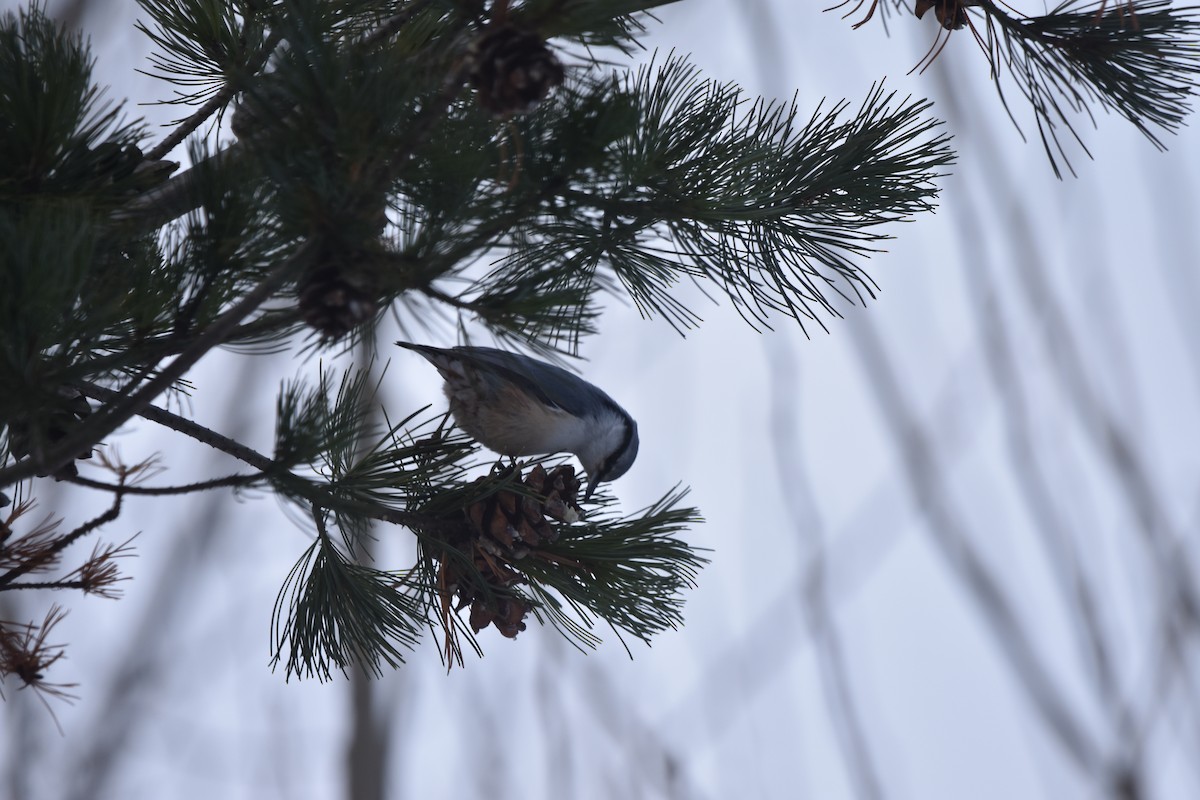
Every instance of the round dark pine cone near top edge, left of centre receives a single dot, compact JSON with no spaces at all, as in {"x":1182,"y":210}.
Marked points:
{"x":513,"y":70}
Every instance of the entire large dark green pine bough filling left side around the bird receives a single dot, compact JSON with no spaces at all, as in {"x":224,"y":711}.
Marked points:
{"x":405,"y":158}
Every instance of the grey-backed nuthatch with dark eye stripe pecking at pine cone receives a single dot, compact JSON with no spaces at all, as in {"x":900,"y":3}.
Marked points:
{"x":519,"y":406}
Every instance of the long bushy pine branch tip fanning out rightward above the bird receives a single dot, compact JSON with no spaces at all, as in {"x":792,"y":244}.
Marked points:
{"x":680,"y":182}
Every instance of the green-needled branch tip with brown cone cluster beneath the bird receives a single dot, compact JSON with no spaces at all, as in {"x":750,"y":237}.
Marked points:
{"x":505,"y":546}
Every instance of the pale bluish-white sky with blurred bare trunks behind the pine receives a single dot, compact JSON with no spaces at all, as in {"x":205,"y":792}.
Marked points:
{"x":1023,"y":334}
